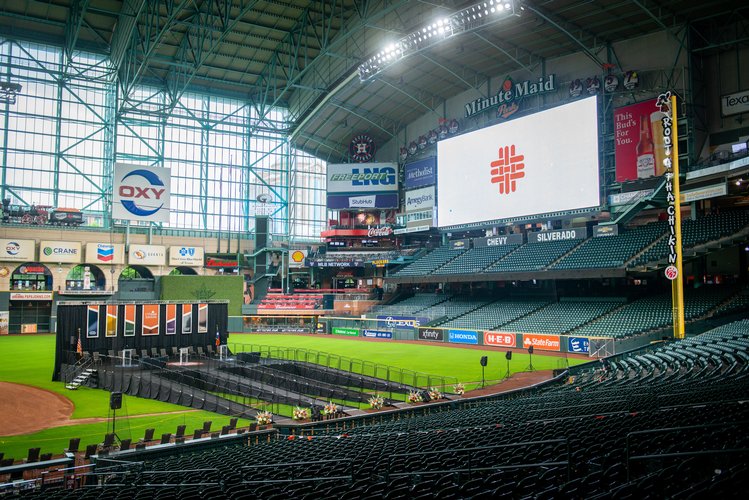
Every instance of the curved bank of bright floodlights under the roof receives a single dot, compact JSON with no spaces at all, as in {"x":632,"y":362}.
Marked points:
{"x":466,"y":20}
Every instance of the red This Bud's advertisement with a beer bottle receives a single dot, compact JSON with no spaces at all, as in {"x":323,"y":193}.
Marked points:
{"x":638,"y":141}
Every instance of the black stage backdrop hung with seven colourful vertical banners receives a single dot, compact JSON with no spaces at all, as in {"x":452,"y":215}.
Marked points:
{"x":114,"y":326}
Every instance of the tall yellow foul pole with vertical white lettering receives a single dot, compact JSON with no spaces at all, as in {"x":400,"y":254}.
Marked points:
{"x":669,"y":152}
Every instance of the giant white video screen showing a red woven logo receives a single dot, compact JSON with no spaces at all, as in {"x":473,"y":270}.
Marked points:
{"x":541,"y":163}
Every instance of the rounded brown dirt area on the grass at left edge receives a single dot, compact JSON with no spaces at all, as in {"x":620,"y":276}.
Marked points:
{"x":25,"y":409}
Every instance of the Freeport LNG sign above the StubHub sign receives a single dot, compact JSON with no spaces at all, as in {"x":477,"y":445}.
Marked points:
{"x":356,"y":178}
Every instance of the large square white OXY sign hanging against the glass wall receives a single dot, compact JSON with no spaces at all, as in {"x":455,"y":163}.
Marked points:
{"x":141,"y":193}
